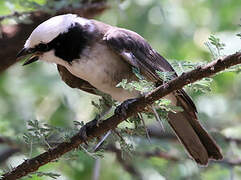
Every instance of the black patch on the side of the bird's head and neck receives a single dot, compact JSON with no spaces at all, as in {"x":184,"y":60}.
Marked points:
{"x":69,"y":45}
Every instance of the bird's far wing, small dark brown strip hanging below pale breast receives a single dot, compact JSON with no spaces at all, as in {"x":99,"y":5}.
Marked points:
{"x":75,"y":82}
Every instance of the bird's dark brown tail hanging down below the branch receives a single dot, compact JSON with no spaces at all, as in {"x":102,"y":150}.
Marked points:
{"x":199,"y":144}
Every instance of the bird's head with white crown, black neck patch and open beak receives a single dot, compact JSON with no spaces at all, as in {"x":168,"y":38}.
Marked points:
{"x":58,"y":40}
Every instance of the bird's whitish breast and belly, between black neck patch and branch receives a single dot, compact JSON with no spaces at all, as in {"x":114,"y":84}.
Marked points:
{"x":103,"y":69}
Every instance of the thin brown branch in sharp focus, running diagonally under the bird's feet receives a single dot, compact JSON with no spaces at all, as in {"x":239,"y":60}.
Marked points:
{"x":96,"y":129}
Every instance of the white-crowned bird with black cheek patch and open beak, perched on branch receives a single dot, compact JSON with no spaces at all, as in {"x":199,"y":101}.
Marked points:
{"x":99,"y":56}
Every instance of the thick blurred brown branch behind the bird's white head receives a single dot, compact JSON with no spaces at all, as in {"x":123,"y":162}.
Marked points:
{"x":12,"y":37}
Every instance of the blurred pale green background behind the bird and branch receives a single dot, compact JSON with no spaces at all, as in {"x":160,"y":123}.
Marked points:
{"x":177,"y":29}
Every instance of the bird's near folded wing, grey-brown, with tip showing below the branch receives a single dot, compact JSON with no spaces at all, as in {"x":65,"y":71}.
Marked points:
{"x":137,"y":52}
